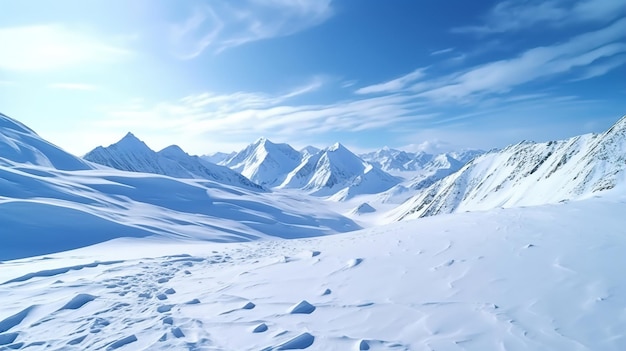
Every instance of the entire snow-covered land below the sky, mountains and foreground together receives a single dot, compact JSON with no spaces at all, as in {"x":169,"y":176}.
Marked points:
{"x":94,"y":257}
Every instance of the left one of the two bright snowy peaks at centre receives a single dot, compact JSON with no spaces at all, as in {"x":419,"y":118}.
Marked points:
{"x":264,"y":162}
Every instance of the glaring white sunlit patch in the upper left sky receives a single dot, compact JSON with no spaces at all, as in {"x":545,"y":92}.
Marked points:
{"x":48,"y":47}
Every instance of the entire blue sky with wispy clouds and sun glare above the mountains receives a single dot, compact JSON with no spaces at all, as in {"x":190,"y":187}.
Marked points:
{"x":216,"y":75}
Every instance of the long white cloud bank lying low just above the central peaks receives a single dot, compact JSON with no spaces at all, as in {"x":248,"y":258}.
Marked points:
{"x":222,"y":118}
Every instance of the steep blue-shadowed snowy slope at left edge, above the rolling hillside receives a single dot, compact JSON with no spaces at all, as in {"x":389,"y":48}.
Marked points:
{"x":20,"y":144}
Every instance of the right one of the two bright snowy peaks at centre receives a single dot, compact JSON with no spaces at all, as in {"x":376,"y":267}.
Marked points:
{"x":339,"y":172}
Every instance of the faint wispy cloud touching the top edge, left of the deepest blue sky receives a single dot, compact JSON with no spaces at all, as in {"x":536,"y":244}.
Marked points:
{"x":217,"y":26}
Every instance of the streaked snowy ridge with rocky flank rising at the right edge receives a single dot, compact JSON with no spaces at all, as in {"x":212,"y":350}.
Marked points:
{"x":528,"y":174}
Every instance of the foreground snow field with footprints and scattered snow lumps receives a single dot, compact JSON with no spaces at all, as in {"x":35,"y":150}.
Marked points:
{"x":538,"y":278}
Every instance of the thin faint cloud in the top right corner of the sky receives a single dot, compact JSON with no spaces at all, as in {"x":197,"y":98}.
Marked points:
{"x":513,"y":15}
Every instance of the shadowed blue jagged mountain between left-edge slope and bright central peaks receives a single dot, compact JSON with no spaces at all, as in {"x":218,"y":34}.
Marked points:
{"x":132,"y":154}
